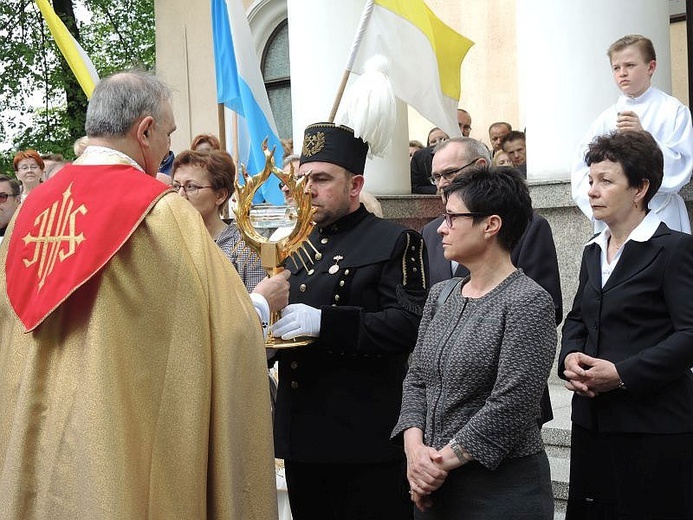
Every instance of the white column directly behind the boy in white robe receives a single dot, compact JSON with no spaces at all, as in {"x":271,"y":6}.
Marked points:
{"x":565,"y":76}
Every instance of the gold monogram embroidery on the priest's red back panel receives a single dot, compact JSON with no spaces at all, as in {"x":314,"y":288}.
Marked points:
{"x":57,"y":225}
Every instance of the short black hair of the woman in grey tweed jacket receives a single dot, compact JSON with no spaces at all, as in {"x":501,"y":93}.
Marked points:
{"x":496,"y":190}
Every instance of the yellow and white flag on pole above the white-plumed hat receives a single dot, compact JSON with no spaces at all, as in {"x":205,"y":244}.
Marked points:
{"x":424,"y":56}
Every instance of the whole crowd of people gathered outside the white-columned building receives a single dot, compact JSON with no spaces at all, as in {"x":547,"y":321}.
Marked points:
{"x":133,"y":318}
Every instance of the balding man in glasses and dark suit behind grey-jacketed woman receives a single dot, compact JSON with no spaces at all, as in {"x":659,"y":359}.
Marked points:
{"x":535,"y":252}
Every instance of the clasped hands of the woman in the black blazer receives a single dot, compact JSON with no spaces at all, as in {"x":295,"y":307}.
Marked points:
{"x":588,"y":376}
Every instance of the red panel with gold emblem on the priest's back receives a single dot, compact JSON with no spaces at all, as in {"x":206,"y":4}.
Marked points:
{"x":68,"y":229}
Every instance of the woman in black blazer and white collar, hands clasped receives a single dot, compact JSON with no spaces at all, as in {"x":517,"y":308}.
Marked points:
{"x":627,"y":346}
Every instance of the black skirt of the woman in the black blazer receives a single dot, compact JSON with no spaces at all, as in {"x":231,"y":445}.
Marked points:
{"x":630,"y":475}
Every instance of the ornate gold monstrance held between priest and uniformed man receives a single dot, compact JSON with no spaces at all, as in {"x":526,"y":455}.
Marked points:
{"x":273,"y":253}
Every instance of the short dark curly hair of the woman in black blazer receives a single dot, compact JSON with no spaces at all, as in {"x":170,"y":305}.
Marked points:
{"x":638,"y":154}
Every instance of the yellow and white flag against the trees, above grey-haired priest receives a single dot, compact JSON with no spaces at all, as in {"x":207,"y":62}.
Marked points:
{"x":77,"y":59}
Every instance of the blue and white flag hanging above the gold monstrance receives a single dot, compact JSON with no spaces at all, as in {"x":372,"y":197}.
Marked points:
{"x":240,"y":88}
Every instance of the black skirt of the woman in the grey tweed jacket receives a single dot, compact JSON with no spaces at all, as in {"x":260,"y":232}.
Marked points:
{"x":519,"y":489}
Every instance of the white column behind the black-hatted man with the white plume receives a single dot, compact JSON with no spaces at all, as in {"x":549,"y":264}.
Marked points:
{"x":321,"y":34}
